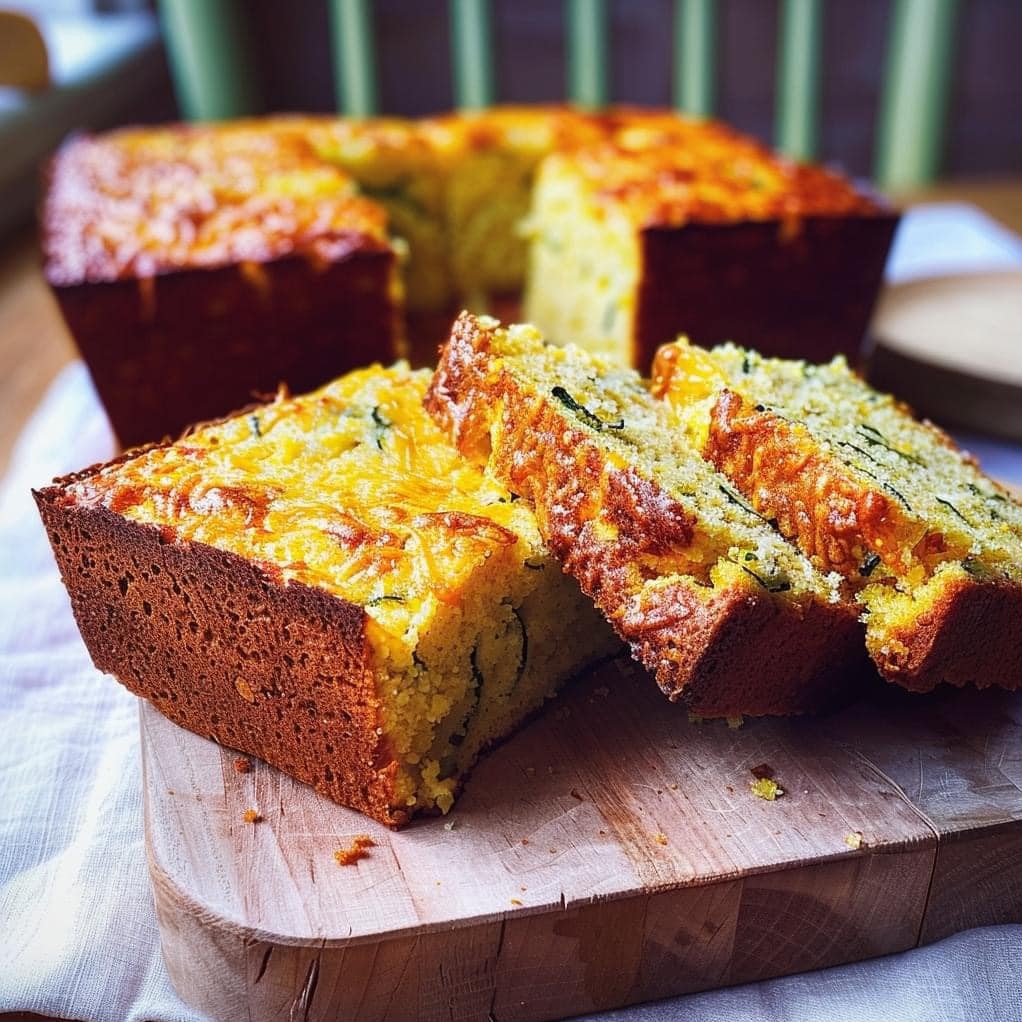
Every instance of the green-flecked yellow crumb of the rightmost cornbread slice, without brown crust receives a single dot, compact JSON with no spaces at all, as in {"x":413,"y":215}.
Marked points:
{"x":959,"y":524}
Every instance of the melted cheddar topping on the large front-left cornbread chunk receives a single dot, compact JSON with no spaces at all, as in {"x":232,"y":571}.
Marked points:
{"x":351,"y":488}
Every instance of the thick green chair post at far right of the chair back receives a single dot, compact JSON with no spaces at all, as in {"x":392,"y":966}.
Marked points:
{"x":915,"y":97}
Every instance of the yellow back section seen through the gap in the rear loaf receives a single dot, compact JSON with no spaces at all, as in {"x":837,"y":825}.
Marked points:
{"x":456,"y":190}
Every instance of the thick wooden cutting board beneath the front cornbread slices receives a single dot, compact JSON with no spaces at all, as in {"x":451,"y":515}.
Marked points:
{"x":612,"y":853}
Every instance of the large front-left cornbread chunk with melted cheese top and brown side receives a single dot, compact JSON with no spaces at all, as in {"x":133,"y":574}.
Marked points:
{"x":322,"y":582}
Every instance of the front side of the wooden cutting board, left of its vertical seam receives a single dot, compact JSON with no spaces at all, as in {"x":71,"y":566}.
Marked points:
{"x":535,"y":967}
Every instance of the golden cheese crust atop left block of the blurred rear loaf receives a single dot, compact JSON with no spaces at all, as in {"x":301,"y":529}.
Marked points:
{"x":140,"y":203}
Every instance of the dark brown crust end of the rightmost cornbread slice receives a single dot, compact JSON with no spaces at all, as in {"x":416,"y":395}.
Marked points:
{"x":972,"y":636}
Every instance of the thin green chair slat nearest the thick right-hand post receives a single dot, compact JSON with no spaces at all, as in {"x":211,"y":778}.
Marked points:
{"x":798,"y":113}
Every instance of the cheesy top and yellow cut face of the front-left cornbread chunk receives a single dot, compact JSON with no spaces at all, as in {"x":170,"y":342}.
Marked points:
{"x":353,"y":489}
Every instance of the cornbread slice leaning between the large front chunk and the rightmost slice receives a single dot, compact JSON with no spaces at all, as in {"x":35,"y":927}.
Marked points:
{"x":713,"y":600}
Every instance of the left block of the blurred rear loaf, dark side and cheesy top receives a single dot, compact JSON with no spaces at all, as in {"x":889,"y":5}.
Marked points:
{"x":198,"y":267}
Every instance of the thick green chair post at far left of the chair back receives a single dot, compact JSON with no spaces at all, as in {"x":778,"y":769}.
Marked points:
{"x":212,"y":66}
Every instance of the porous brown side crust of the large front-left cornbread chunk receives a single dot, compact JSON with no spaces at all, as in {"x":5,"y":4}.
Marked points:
{"x":278,"y":671}
